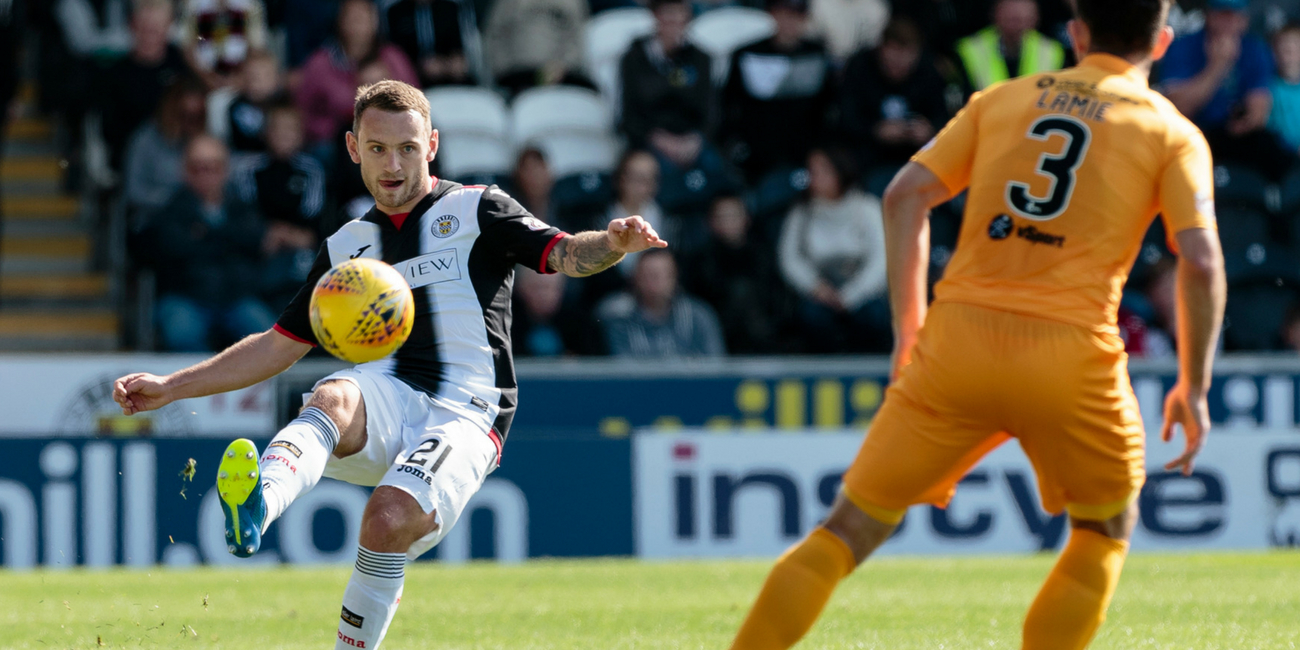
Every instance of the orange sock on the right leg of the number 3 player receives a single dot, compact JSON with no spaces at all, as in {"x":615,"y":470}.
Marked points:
{"x":1073,"y":603}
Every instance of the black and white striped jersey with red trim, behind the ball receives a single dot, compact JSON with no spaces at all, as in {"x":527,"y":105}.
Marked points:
{"x":458,"y":250}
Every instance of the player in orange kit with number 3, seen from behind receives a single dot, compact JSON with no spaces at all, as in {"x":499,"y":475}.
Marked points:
{"x":1067,"y":172}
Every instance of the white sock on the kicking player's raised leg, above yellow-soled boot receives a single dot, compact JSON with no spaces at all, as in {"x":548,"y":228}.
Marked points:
{"x":296,"y":460}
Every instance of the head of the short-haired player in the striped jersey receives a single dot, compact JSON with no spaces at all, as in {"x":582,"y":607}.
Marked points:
{"x":395,"y":151}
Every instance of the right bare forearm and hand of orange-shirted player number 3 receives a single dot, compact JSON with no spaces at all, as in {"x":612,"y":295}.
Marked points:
{"x":1202,"y":293}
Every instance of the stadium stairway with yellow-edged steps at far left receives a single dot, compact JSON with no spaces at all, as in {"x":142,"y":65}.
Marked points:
{"x":51,"y":297}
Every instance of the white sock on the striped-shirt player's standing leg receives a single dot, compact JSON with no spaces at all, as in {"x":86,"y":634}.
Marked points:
{"x":371,"y":599}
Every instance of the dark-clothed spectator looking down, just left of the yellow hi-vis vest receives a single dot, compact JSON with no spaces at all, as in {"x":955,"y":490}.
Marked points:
{"x":894,"y":99}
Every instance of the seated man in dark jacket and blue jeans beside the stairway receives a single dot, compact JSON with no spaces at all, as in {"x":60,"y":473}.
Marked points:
{"x":206,"y":249}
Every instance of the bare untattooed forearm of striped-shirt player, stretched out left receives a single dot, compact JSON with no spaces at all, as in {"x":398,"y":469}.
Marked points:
{"x":257,"y":358}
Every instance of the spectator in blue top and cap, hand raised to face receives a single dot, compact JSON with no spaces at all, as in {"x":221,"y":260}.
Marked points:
{"x":1220,"y":79}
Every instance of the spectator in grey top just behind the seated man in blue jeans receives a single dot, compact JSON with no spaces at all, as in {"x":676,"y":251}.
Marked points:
{"x":155,"y":155}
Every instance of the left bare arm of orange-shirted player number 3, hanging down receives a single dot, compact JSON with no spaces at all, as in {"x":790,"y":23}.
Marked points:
{"x":907,"y":216}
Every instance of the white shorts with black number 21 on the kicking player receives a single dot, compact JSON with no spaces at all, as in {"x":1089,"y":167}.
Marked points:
{"x":435,"y":452}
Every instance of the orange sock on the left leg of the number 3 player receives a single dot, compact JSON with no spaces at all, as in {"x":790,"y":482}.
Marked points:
{"x":796,"y":592}
